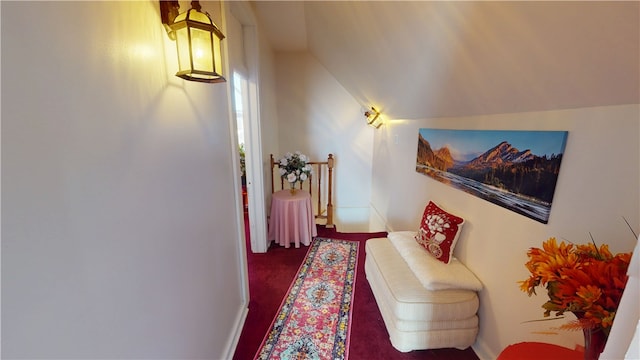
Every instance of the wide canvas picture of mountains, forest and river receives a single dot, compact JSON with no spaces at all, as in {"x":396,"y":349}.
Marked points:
{"x":517,"y":170}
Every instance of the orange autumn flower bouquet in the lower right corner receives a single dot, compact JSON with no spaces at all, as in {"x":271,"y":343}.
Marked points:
{"x":583,"y":279}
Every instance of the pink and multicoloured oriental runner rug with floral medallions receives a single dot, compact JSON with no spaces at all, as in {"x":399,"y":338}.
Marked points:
{"x":314,"y":319}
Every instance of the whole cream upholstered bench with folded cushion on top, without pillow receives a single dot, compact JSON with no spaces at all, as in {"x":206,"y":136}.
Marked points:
{"x":425,"y":304}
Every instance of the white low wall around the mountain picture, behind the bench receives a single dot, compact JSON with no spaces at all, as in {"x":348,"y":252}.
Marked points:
{"x":597,"y":187}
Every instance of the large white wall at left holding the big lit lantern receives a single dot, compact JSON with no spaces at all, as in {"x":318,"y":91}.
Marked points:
{"x":118,"y":227}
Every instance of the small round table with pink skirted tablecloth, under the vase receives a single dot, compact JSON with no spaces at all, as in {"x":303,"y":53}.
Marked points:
{"x":292,"y":219}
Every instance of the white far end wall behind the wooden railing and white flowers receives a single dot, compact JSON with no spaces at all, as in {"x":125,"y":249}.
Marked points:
{"x":317,"y":116}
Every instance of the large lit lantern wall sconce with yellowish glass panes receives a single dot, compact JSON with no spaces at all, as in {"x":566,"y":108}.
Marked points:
{"x":197,"y":41}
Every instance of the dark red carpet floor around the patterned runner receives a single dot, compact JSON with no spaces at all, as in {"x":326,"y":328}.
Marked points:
{"x":270,"y":275}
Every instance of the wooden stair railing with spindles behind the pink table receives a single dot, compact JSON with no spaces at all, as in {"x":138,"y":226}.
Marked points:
{"x":318,"y":169}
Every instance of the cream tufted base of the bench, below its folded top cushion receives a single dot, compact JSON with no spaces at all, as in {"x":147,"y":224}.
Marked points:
{"x":417,"y":318}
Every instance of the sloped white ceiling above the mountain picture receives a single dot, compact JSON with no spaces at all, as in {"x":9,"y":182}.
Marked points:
{"x":423,"y":59}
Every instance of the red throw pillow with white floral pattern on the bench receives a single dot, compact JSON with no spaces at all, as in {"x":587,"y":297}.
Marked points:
{"x":439,"y":231}
